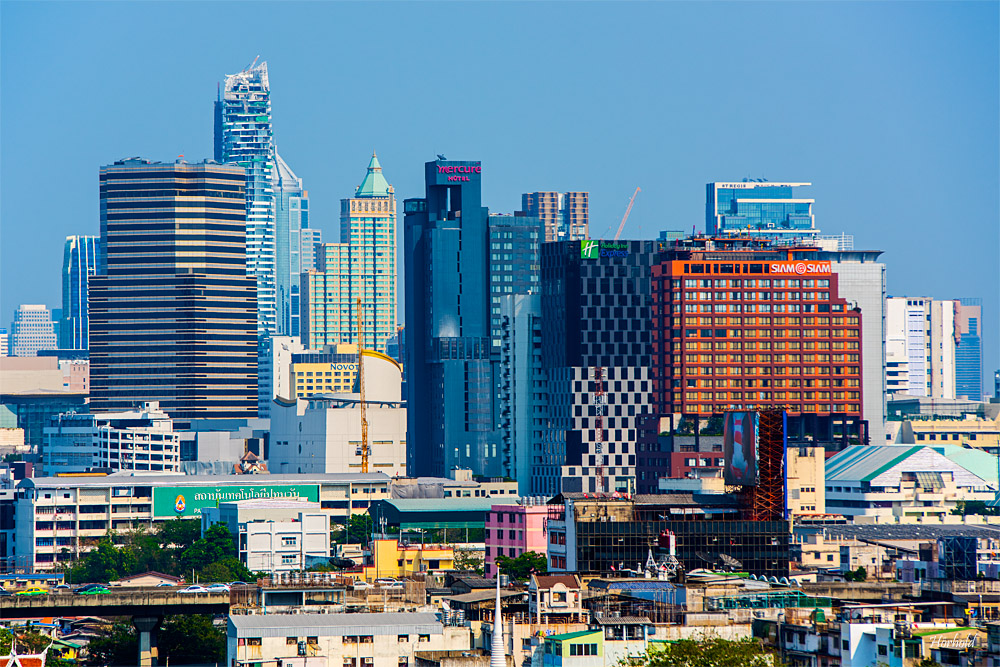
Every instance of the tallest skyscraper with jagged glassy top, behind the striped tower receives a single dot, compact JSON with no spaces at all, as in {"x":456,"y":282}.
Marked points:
{"x":243,"y":135}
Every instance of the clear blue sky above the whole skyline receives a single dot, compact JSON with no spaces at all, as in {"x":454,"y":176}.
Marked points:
{"x":890,"y":109}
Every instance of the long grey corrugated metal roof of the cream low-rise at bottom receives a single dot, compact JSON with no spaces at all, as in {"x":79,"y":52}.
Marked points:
{"x":335,"y":625}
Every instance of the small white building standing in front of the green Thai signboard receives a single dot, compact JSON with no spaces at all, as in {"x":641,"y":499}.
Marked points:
{"x":286,"y":535}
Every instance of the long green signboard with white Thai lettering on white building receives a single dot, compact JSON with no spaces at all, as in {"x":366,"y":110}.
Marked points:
{"x":188,"y":501}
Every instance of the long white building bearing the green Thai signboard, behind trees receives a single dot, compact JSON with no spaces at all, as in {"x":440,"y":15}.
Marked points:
{"x":60,"y":518}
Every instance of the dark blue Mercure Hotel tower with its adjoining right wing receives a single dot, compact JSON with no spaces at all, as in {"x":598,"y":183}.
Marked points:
{"x":460,"y":261}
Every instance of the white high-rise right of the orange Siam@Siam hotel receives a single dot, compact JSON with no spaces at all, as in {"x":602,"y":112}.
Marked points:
{"x":920,"y":347}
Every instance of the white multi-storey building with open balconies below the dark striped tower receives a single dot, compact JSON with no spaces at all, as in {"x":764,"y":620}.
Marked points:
{"x":141,"y":439}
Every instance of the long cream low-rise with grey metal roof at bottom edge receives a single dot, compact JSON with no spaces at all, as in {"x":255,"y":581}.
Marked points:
{"x":335,"y":640}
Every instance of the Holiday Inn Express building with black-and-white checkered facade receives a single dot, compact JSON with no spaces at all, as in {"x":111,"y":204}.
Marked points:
{"x":596,"y":352}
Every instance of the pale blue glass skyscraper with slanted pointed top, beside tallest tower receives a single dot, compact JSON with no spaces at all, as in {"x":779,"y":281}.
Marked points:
{"x":290,"y":220}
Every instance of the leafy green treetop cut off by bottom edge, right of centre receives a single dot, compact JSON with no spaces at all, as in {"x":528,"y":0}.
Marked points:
{"x":710,"y":652}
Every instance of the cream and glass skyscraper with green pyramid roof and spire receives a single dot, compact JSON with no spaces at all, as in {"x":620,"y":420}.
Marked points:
{"x":362,"y":265}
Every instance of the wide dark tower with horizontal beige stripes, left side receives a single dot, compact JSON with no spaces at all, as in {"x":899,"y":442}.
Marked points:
{"x":173,"y":313}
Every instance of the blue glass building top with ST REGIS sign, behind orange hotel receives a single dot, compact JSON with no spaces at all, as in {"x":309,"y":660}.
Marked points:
{"x":760,"y":208}
